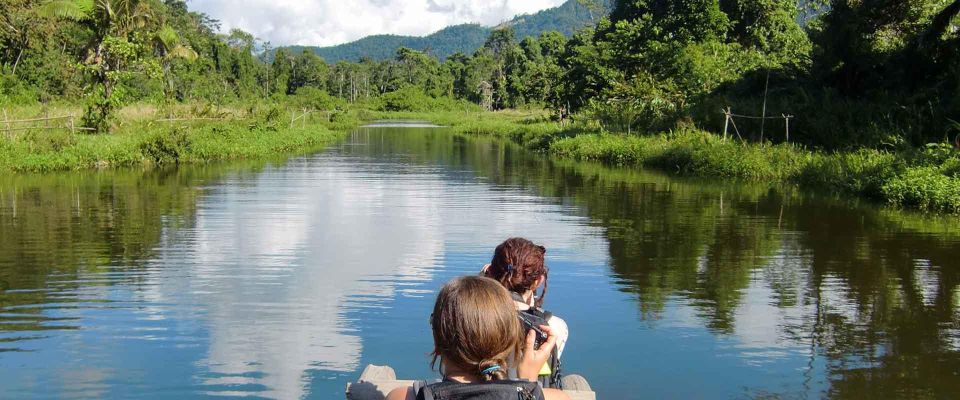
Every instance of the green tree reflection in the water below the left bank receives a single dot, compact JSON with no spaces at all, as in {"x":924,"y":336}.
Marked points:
{"x":57,"y":229}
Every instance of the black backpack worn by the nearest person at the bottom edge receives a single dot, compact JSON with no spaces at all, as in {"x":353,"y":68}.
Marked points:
{"x":495,"y":390}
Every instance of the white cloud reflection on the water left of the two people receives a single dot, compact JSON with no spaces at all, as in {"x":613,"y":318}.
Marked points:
{"x":275,"y":260}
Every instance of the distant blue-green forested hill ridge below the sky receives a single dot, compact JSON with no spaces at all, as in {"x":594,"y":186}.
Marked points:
{"x":464,"y":38}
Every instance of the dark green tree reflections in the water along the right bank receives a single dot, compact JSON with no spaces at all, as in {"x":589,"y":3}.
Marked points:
{"x":875,"y":290}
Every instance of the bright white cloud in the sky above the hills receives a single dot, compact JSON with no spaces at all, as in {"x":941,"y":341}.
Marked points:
{"x":331,"y":22}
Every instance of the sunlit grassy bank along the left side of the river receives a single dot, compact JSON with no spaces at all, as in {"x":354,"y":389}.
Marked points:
{"x":147,"y":136}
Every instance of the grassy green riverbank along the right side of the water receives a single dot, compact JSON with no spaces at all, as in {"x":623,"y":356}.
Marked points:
{"x":926,"y":179}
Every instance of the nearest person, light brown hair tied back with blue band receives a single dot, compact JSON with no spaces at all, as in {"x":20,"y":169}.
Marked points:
{"x":477,"y":338}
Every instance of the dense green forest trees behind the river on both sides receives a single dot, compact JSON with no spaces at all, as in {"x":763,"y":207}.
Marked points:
{"x":881,"y":75}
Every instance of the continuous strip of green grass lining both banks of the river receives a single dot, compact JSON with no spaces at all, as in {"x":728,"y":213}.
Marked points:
{"x":926,"y":179}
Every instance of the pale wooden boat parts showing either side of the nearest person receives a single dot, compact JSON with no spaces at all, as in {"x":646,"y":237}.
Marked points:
{"x":376,"y":381}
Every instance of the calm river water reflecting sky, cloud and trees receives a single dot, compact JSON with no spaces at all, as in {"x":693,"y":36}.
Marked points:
{"x":282,"y":279}
